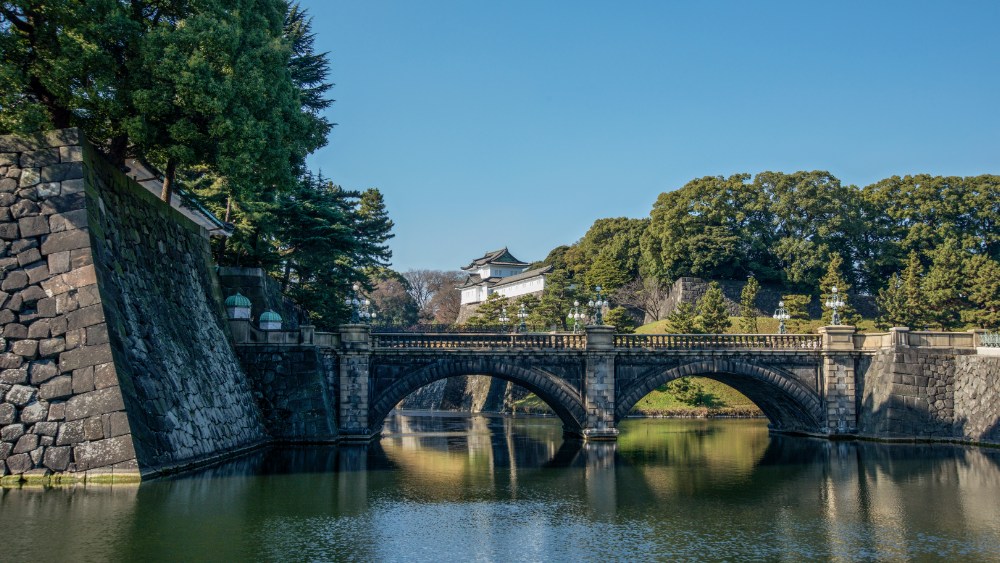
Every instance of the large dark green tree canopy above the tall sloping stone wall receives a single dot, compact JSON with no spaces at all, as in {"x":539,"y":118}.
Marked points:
{"x":226,"y":98}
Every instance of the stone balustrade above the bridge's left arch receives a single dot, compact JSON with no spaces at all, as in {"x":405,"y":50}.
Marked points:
{"x":456,"y":341}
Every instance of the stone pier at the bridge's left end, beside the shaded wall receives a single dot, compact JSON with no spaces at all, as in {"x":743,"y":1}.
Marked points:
{"x":353,"y":394}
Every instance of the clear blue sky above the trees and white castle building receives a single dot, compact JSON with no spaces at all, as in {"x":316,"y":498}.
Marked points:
{"x":519,"y":123}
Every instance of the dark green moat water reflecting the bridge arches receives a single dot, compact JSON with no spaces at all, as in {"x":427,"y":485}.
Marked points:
{"x":492,"y":489}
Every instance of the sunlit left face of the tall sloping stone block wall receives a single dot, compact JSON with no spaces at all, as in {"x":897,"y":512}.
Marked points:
{"x":62,"y":408}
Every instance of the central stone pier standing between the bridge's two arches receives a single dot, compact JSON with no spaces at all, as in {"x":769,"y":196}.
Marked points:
{"x":599,"y":385}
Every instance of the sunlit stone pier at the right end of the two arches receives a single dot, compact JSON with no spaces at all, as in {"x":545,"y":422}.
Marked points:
{"x":838,"y":379}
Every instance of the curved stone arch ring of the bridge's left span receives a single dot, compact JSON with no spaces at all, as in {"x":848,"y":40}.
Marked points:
{"x":564,"y":400}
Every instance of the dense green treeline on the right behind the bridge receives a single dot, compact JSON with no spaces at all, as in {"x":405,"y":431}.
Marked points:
{"x":928,"y":246}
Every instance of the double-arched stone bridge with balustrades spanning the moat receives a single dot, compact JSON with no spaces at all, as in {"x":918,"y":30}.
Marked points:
{"x":806,"y":384}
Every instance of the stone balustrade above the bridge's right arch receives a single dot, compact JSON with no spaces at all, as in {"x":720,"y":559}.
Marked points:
{"x":718,"y":341}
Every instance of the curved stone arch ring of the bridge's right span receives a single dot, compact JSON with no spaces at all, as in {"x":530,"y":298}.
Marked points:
{"x":789,"y":405}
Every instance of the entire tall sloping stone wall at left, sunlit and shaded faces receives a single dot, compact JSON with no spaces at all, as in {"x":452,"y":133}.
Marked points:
{"x":113,"y":360}
